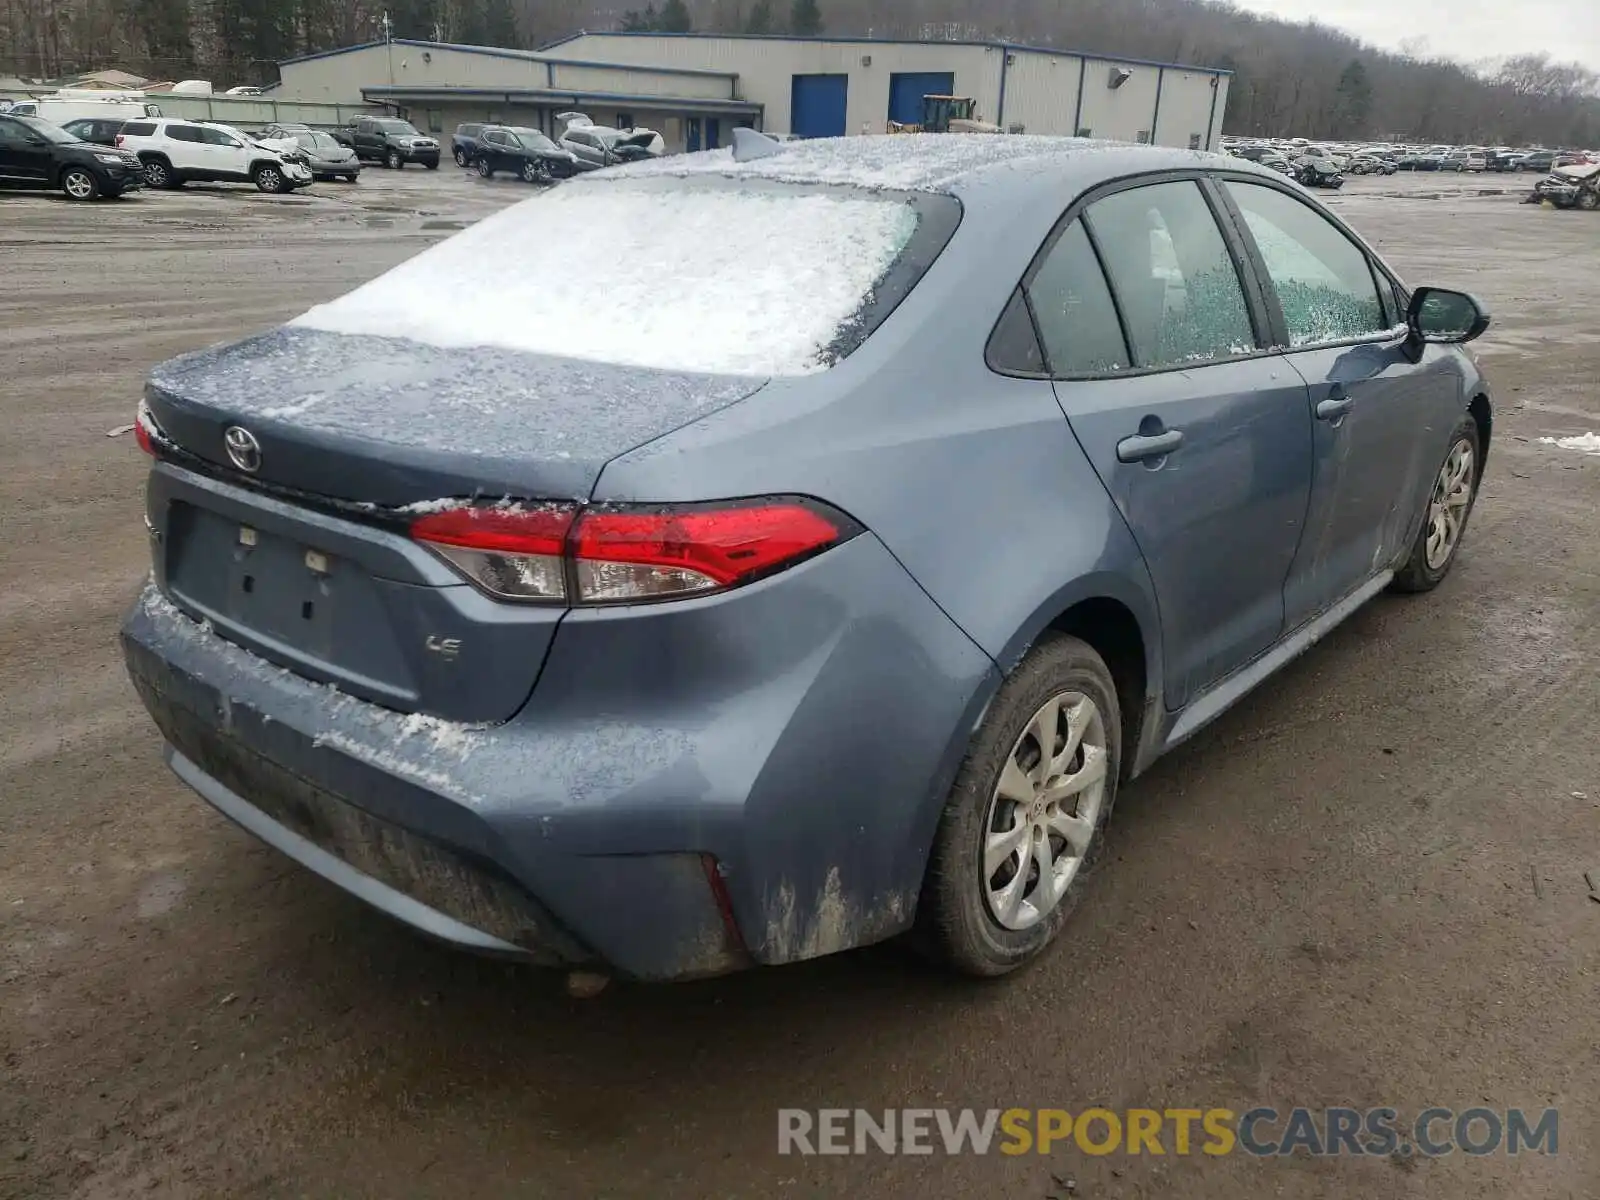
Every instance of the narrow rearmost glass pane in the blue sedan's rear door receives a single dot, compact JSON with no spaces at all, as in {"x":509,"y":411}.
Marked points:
{"x":1078,"y":321}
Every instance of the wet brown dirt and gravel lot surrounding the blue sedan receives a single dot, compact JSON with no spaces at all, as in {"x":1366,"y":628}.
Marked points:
{"x":1366,"y":886}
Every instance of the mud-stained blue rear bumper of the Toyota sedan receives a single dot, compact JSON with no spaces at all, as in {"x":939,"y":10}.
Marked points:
{"x":807,"y":769}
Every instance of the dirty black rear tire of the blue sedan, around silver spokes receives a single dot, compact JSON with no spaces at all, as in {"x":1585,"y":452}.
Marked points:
{"x":964,"y":918}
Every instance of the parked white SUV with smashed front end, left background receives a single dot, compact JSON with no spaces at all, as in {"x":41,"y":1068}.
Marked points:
{"x":174,"y":153}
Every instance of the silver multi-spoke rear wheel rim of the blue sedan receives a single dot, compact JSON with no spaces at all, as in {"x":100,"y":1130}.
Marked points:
{"x":1046,"y":810}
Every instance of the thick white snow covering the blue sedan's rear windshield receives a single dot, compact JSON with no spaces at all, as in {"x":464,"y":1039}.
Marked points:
{"x":719,"y":281}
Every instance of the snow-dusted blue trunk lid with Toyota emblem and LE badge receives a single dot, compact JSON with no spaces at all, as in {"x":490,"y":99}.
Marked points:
{"x":305,"y":559}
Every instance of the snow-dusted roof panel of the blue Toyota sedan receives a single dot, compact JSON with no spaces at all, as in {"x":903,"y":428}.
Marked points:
{"x":943,"y":162}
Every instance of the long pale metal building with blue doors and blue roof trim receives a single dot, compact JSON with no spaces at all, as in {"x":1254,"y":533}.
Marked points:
{"x":695,"y":89}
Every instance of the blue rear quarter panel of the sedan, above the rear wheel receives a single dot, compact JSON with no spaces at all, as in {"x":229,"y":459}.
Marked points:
{"x":972,"y":481}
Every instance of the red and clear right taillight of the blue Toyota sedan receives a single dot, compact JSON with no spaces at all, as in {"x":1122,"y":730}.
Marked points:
{"x":628,"y":554}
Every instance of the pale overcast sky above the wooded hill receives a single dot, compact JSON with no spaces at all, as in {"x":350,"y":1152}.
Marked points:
{"x":1462,"y":30}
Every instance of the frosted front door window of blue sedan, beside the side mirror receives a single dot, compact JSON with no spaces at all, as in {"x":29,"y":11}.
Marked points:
{"x":1324,"y":281}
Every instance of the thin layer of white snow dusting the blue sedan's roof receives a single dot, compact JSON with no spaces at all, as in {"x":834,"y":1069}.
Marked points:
{"x":914,"y":162}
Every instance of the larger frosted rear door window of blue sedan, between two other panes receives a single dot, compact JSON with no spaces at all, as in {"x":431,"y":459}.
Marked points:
{"x":1174,"y":278}
